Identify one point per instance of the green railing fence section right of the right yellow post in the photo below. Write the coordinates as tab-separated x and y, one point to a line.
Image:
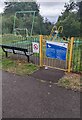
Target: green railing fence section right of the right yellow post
77	55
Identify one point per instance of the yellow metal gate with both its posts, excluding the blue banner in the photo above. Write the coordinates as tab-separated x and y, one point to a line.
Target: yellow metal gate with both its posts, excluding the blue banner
56	63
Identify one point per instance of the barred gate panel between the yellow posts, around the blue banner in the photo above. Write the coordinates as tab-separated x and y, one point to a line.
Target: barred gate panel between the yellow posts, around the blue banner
51	62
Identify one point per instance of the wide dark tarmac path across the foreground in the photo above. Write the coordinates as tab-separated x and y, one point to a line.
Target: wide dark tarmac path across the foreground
26	97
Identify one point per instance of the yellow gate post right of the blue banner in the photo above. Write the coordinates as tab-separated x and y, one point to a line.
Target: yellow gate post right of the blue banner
70	56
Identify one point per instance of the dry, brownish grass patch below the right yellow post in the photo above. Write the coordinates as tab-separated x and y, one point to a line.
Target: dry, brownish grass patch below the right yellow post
71	81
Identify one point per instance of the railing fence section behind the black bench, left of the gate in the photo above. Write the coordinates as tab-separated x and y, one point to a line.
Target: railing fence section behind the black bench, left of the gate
25	43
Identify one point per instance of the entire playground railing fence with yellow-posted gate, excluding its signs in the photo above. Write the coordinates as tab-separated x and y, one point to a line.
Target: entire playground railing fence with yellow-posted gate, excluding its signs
73	60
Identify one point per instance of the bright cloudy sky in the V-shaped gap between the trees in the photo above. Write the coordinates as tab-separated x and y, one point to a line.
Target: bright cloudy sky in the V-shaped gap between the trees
51	10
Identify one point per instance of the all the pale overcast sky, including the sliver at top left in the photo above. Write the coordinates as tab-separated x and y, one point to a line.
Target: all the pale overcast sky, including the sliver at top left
50	9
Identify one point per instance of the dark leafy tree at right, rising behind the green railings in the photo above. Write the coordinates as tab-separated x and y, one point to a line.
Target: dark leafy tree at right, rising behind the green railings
70	20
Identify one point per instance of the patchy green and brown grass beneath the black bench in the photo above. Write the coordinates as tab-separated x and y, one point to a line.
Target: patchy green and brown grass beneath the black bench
20	67
